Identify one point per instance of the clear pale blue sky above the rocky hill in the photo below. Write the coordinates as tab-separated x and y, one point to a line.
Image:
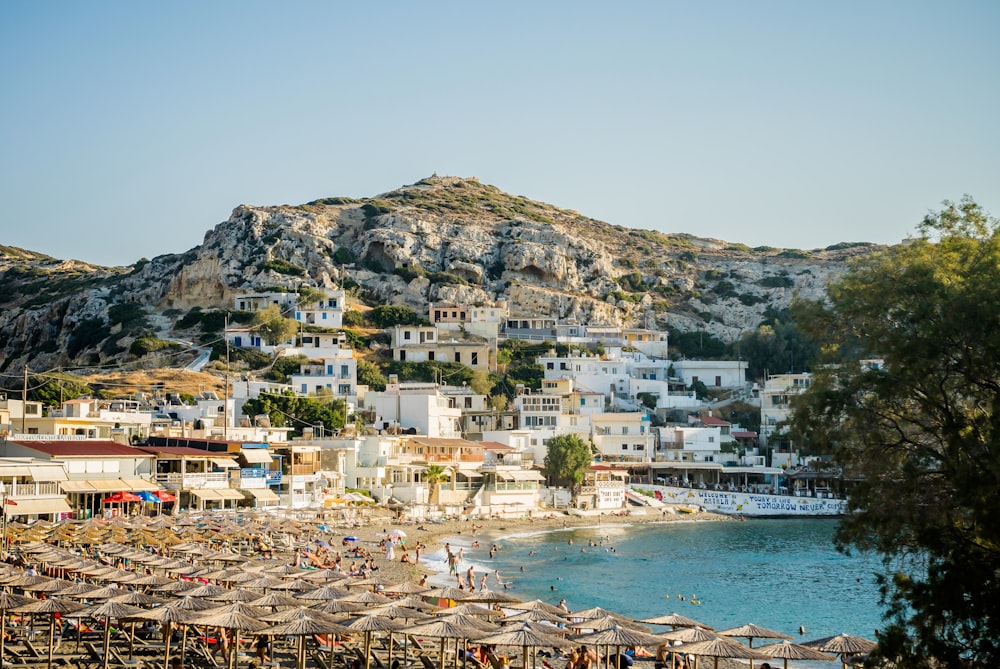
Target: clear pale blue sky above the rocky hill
129	129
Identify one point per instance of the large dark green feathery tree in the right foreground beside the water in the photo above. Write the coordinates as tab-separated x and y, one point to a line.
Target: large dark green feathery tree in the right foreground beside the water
922	429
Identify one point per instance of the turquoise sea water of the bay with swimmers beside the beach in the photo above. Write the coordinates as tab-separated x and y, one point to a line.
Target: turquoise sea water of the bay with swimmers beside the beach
780	573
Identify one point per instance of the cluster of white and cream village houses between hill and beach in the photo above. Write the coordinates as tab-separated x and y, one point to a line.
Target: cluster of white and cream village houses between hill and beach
209	454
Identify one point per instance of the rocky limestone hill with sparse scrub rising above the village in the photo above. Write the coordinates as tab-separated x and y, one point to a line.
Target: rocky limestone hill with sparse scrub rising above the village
440	239
